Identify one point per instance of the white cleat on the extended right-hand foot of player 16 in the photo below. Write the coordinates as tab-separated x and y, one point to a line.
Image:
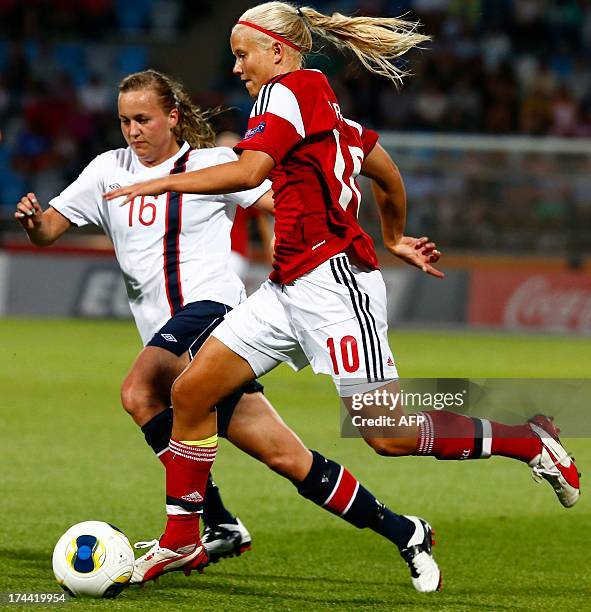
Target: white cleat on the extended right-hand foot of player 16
425	574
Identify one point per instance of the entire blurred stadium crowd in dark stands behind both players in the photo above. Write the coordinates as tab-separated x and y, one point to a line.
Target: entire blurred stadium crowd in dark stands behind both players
493	67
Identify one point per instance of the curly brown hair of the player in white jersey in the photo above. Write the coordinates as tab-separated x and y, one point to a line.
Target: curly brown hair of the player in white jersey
193	125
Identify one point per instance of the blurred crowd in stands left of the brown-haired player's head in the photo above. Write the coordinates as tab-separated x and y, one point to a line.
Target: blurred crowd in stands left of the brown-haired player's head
59	62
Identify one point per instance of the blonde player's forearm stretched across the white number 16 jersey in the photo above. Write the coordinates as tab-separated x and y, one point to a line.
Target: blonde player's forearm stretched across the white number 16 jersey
248	172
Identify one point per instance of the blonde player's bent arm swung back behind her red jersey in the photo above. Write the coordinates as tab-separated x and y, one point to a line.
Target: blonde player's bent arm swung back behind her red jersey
390	196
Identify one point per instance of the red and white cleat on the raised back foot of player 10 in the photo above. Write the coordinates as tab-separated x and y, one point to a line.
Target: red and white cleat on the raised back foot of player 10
553	463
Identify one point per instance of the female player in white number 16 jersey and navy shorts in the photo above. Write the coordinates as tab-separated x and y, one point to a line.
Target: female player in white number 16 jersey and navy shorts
173	251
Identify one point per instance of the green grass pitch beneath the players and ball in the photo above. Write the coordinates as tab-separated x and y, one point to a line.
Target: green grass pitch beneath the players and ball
69	453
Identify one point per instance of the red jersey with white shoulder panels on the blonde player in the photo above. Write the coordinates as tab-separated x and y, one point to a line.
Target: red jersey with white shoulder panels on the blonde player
297	121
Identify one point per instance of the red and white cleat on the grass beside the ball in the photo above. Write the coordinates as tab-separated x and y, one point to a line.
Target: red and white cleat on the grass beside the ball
159	560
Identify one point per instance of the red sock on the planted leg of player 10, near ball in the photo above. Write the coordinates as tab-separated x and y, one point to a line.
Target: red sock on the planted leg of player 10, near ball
187	470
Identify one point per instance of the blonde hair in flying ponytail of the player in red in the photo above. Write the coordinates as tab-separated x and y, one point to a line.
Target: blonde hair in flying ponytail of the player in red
376	41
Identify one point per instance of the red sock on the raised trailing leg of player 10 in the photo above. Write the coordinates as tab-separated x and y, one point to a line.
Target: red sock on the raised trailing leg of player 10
447	435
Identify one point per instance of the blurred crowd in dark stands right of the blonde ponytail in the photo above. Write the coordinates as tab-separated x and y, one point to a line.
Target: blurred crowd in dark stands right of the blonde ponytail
495	66
